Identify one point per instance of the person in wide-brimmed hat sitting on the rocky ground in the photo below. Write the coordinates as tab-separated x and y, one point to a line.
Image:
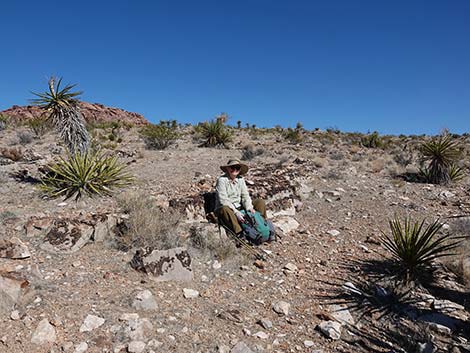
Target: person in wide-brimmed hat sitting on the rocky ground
233	196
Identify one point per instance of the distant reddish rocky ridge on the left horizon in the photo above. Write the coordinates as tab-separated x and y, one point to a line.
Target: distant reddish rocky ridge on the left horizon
92	112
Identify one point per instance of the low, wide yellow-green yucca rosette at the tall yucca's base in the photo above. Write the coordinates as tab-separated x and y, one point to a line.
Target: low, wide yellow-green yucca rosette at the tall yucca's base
84	173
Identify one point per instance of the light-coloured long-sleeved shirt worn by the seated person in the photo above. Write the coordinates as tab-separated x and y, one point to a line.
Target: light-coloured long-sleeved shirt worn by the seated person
233	193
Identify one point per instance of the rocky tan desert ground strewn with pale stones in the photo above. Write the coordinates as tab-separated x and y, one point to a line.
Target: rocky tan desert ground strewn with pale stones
67	286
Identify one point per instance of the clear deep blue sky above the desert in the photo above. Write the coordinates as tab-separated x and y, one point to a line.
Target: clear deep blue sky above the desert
396	66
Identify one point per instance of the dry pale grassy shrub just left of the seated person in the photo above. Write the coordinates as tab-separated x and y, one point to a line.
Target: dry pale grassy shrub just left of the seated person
146	224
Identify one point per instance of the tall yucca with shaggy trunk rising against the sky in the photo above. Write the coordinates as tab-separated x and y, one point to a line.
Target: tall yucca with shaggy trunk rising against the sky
62	109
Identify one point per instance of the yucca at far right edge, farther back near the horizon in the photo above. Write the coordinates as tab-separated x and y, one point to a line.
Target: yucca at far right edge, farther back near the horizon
442	155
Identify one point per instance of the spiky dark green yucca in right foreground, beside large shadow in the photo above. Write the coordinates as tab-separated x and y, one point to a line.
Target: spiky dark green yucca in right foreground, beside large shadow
414	246
